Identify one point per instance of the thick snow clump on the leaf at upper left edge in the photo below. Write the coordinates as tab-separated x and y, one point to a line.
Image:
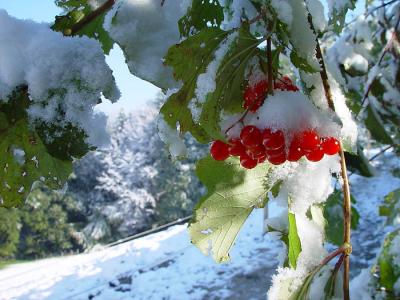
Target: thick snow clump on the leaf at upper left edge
65	76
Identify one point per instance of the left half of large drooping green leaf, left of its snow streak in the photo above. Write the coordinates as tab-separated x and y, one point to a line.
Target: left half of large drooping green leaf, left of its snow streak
189	59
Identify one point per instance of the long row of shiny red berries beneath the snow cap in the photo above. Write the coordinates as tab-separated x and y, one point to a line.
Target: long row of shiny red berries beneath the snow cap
255	146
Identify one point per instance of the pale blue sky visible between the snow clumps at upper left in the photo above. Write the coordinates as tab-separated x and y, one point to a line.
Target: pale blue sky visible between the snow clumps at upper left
134	91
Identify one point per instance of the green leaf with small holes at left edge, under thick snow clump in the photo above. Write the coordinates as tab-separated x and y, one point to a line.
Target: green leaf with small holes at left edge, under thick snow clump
24	158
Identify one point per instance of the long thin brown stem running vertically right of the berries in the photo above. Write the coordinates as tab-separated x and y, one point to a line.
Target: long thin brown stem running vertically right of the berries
346	186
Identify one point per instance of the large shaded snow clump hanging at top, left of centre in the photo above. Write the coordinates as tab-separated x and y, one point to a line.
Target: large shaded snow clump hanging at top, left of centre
145	30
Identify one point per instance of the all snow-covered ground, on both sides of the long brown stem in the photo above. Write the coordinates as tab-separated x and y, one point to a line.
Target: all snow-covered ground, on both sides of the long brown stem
166	266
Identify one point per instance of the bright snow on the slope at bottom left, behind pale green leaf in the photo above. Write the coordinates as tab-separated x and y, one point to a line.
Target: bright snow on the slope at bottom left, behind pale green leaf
162	265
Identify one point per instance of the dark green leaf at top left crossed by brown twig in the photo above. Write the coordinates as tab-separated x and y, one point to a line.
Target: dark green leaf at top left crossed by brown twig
75	11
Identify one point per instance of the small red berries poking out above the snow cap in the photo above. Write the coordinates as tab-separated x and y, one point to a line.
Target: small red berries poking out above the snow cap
254	96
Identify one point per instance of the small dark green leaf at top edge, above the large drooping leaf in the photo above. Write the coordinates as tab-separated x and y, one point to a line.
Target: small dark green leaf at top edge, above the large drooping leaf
201	15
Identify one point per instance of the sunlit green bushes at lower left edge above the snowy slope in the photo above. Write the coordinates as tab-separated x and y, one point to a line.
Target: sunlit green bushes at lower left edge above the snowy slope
41	228
